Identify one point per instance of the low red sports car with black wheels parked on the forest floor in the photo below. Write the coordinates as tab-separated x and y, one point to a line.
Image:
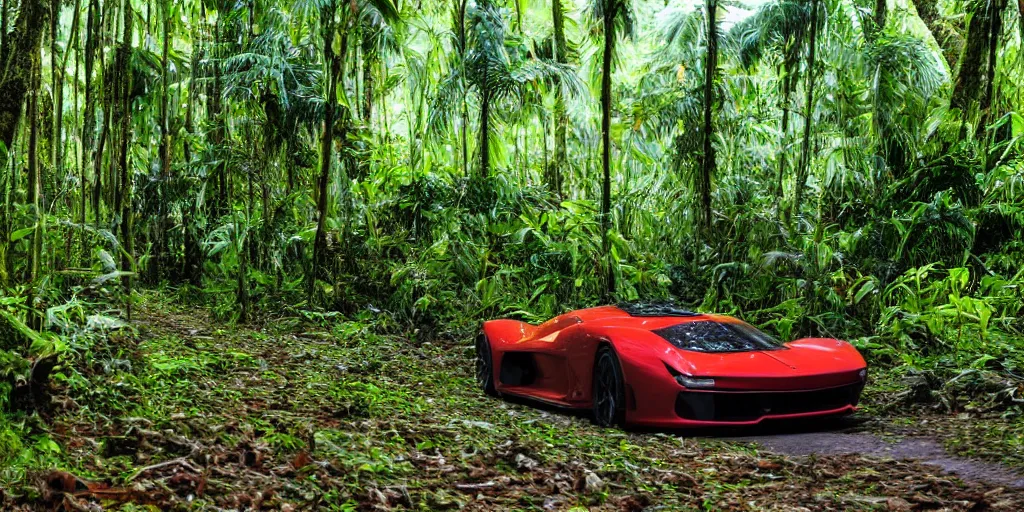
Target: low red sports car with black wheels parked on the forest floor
657	366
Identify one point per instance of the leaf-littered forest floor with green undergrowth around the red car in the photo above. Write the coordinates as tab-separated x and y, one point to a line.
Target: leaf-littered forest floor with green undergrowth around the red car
184	414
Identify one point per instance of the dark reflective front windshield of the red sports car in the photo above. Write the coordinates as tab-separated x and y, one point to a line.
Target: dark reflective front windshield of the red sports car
710	336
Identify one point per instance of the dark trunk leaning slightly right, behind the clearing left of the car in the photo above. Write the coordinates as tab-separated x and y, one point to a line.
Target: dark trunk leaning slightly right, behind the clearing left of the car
334	66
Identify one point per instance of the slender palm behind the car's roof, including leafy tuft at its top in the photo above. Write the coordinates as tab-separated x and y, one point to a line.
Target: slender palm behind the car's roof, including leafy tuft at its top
616	18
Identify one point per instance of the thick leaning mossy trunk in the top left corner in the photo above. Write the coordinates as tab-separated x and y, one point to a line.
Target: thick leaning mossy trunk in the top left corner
25	44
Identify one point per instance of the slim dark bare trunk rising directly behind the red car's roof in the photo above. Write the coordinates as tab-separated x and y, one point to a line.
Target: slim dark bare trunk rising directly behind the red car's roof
610	50
